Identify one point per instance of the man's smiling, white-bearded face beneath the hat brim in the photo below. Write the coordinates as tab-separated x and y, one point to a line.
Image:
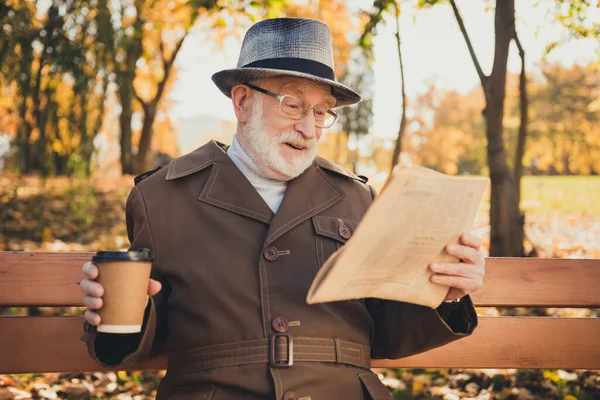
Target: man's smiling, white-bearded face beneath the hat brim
282	147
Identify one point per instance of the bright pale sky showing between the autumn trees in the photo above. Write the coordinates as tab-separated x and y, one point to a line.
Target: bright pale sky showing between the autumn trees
433	49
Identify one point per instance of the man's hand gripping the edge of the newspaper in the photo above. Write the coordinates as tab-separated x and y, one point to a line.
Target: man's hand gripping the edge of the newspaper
466	276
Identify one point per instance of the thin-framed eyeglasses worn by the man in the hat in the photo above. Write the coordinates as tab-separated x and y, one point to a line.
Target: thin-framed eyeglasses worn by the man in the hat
296	108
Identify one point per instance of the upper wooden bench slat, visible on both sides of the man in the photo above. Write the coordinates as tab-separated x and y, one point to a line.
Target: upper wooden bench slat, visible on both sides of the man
50	279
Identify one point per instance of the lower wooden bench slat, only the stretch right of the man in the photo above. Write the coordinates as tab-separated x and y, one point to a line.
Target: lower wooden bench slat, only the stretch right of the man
516	342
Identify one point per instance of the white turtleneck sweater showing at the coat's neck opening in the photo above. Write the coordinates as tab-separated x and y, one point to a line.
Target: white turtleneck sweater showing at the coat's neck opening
270	190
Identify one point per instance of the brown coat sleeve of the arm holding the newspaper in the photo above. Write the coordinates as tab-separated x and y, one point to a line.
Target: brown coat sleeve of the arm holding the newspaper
404	329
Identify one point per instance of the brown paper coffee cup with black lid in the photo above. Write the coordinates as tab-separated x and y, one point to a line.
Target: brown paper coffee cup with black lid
124	275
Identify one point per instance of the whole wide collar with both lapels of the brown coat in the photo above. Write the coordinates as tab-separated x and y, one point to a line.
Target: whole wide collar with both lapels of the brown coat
227	188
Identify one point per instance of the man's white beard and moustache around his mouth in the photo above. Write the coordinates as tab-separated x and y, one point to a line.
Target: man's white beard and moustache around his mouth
265	147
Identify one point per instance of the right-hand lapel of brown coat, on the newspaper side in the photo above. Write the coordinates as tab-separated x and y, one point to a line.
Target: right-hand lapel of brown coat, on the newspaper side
307	195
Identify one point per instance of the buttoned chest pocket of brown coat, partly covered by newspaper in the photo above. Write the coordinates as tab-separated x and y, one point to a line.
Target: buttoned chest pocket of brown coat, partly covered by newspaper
331	233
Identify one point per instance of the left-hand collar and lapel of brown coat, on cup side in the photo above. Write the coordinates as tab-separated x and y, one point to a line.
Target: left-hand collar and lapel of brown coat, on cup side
227	187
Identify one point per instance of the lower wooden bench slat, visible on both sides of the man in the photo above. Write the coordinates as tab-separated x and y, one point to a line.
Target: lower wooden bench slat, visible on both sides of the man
38	344
